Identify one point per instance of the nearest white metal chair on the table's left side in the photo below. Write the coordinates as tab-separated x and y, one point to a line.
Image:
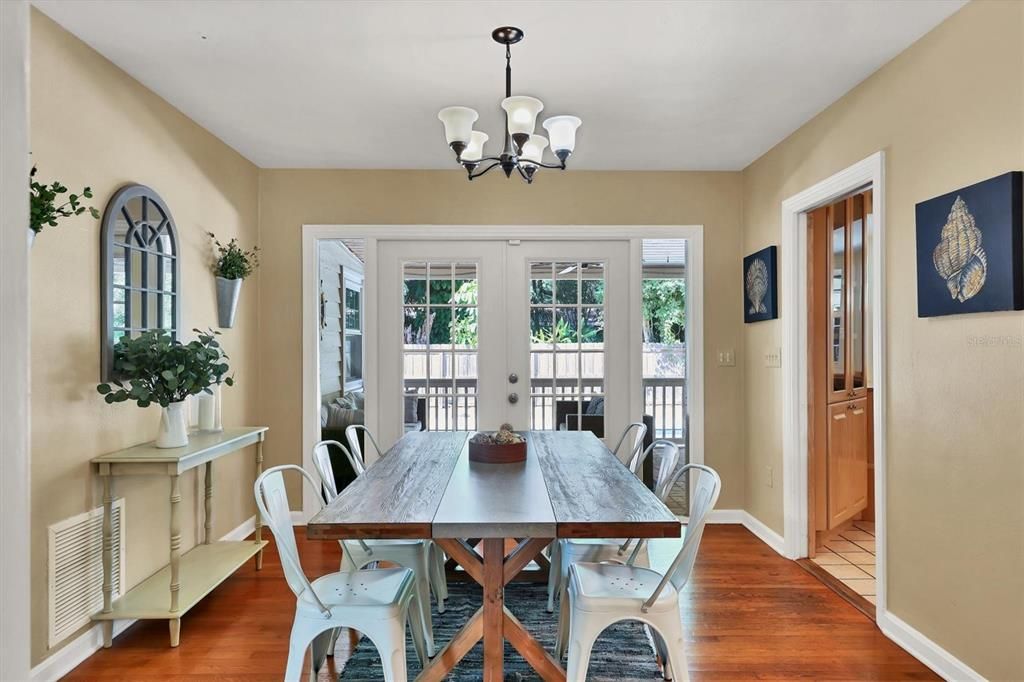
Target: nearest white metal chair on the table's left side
378	604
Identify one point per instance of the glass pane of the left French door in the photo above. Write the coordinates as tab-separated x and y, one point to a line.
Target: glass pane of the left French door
441	344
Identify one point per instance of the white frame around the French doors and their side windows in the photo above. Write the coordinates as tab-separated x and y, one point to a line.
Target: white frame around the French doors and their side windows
313	234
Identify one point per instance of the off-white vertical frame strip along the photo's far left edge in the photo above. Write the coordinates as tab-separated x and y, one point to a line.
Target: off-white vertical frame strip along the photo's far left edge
15	360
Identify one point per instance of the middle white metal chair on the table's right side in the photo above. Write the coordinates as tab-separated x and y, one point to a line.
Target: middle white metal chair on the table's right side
567	552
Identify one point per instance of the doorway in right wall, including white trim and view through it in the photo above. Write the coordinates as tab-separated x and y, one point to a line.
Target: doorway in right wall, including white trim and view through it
864	413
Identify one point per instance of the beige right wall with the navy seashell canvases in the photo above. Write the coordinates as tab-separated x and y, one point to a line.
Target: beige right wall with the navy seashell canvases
949	112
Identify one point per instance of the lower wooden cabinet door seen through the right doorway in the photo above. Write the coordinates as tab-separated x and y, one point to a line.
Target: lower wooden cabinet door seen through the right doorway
847	462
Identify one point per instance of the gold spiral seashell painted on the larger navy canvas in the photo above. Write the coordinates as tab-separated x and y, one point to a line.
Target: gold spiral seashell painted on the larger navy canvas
959	258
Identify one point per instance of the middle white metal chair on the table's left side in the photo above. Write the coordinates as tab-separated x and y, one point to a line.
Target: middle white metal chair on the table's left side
421	557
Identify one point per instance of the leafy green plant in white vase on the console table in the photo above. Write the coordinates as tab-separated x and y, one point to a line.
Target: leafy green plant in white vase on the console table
155	369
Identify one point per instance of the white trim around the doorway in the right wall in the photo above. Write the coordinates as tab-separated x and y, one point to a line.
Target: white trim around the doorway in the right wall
795	352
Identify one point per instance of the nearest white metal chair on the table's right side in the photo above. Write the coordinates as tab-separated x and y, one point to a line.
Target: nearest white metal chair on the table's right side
601	594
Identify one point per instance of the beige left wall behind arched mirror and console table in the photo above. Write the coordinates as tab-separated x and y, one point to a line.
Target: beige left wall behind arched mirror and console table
92	124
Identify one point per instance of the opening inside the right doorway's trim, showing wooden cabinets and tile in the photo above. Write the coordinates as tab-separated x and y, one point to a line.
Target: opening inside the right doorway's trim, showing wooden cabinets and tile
841	462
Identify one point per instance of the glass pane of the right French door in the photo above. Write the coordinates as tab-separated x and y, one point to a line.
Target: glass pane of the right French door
567	346
